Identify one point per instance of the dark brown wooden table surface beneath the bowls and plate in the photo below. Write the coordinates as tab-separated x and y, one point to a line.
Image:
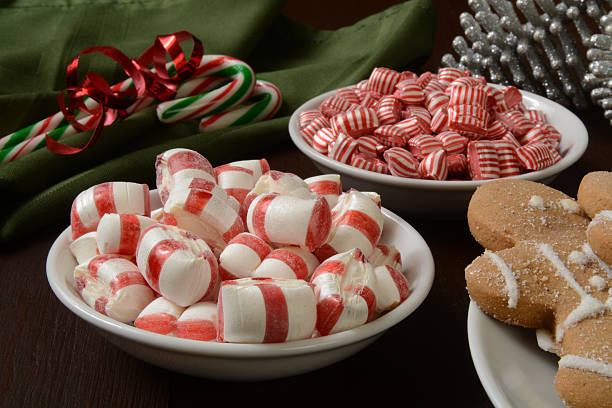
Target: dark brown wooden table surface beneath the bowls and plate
49	357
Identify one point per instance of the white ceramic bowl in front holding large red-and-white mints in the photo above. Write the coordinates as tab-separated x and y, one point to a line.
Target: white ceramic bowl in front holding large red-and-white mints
248	362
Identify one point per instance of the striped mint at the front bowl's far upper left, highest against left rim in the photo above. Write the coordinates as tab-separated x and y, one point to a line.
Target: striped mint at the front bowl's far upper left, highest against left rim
118	197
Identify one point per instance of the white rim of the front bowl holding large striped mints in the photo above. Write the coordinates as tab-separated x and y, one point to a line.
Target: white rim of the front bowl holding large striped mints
252	351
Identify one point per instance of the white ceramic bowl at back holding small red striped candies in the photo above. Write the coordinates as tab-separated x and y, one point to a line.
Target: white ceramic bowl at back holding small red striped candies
443	197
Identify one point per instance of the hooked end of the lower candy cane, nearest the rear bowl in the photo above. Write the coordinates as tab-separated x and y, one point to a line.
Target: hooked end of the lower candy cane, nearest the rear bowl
262	105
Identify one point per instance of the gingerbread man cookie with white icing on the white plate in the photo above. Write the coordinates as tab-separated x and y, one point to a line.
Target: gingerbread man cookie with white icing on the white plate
540	270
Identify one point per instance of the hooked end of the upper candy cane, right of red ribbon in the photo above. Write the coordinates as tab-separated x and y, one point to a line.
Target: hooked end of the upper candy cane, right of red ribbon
237	91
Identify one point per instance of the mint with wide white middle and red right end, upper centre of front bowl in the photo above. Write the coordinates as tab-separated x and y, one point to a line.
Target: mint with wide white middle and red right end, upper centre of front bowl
270	215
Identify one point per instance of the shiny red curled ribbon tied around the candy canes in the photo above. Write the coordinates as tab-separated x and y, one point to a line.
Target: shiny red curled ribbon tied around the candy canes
113	102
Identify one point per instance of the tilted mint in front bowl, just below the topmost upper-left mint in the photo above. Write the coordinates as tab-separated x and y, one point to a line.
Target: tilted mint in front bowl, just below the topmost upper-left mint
206	213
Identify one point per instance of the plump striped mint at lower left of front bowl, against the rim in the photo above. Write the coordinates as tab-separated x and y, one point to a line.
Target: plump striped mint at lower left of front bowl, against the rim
113	286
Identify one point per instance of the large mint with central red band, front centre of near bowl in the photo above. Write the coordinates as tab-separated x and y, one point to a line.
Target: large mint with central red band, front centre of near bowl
265	310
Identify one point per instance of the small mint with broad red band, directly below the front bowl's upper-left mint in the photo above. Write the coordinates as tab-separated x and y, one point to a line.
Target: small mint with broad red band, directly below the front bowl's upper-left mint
119	233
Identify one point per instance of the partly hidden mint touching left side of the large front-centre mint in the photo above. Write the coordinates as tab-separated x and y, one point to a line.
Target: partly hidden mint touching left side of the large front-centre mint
198	322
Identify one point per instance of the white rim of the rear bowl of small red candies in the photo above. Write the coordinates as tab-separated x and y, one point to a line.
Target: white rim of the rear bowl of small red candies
572	155
